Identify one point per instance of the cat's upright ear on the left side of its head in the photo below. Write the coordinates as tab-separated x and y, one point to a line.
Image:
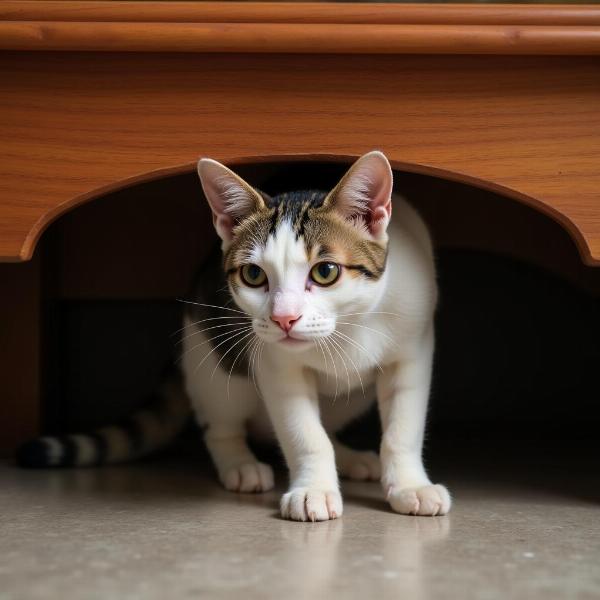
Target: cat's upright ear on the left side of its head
231	199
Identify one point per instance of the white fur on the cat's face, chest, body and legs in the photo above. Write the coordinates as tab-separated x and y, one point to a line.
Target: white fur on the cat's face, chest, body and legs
356	340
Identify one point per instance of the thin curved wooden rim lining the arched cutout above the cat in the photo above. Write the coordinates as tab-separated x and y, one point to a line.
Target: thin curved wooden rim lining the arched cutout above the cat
571	228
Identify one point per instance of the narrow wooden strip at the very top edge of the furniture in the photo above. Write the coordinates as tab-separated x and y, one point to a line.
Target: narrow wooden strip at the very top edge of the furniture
298	12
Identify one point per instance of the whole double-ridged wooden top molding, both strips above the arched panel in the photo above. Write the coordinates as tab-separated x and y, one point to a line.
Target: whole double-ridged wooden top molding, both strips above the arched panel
299	27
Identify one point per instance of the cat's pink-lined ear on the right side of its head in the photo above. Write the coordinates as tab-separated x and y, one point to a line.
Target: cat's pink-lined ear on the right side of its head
365	193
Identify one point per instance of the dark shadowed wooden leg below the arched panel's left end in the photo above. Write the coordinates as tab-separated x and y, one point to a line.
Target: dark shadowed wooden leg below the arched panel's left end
20	362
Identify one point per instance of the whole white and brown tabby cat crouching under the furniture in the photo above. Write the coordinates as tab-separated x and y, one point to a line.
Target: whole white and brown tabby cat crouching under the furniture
316	305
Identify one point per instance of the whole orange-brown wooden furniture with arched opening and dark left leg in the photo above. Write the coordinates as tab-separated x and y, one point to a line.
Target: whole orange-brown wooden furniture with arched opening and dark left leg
96	96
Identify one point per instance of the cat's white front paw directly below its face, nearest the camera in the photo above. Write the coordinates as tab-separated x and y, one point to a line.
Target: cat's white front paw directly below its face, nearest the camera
309	504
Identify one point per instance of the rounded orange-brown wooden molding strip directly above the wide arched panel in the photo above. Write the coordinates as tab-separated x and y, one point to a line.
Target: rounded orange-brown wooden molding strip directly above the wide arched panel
300	38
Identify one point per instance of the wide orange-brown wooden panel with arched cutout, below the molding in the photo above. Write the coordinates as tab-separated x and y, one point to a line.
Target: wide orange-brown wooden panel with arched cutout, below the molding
75	125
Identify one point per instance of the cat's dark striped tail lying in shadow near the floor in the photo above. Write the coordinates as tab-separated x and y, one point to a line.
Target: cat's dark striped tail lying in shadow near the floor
147	430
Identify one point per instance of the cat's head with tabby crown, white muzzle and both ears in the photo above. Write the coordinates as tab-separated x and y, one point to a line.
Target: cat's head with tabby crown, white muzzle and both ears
300	261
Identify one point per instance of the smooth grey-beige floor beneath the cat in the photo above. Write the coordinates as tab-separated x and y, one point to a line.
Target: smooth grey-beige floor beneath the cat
521	528
